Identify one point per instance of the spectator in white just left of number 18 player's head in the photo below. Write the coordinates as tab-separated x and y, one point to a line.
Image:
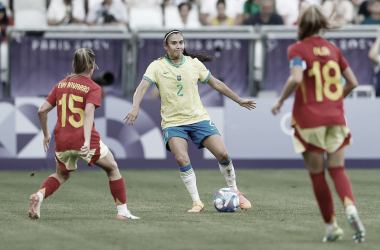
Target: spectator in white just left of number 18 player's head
288	10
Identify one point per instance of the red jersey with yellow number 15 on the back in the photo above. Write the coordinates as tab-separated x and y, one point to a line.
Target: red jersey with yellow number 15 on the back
71	96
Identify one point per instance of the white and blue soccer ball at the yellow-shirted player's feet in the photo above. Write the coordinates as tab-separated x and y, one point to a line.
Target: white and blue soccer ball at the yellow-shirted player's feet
226	200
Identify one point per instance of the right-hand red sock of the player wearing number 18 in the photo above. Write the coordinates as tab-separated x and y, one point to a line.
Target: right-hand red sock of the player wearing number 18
342	185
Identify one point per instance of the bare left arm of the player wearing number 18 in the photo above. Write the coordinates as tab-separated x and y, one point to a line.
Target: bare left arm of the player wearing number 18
294	80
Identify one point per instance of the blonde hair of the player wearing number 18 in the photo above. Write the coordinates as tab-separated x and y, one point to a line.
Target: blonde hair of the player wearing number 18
311	21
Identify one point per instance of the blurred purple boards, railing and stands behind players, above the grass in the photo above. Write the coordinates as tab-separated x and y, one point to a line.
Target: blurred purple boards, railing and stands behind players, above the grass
37	50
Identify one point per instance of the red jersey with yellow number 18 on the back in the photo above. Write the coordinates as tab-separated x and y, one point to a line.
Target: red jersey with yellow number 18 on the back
319	99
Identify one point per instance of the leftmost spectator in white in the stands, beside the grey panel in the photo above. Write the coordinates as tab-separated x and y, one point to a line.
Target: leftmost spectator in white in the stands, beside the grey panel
65	12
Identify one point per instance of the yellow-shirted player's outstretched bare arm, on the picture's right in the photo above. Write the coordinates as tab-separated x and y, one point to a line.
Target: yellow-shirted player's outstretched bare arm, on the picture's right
223	89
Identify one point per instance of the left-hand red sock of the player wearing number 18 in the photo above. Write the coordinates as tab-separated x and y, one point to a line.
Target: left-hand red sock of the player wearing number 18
323	195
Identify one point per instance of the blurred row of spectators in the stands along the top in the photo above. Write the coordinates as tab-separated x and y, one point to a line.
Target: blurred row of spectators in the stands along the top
193	13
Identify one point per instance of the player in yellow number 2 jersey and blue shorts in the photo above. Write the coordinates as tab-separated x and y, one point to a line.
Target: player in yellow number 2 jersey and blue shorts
176	76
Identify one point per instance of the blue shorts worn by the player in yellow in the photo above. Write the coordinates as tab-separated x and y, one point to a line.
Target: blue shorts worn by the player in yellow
196	131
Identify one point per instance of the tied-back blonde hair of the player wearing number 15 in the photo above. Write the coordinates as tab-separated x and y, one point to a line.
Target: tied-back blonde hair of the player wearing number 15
84	60
